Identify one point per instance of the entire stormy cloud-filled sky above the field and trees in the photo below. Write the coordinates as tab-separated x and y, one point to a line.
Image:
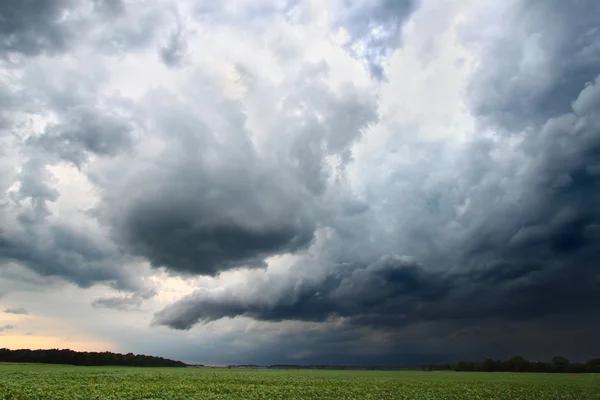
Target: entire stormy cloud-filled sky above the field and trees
366	182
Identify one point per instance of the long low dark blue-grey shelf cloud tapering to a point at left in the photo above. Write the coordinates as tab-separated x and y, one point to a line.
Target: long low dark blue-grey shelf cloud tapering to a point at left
395	292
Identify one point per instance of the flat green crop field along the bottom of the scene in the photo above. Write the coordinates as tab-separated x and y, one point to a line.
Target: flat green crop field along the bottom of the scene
32	382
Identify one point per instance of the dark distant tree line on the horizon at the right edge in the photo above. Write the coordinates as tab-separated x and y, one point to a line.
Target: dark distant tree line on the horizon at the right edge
519	364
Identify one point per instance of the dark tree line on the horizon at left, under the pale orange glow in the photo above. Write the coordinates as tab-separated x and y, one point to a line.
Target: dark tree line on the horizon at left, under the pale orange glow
66	356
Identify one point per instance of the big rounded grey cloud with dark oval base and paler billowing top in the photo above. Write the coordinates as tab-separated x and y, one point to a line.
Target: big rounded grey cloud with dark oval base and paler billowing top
209	202
